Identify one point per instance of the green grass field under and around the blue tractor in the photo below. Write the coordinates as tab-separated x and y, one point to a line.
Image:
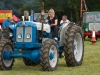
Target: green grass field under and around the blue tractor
90	66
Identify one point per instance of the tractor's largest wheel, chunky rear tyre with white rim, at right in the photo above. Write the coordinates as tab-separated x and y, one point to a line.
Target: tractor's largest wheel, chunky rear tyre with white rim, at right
73	46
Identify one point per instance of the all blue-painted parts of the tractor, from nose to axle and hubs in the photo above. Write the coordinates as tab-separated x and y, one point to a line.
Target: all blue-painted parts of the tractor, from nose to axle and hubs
32	54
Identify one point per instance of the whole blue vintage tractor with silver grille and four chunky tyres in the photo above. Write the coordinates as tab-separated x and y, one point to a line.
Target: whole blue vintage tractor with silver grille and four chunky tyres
34	48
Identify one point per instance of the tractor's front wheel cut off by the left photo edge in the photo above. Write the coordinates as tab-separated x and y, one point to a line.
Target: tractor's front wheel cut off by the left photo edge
6	48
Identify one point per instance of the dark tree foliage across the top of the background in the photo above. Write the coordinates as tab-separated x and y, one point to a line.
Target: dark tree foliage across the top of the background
61	7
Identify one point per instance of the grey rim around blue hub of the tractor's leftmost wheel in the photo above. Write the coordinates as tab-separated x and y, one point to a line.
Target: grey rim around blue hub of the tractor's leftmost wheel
6	62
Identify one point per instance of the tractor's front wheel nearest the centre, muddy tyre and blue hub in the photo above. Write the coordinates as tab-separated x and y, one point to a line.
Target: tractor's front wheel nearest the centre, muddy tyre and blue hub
49	55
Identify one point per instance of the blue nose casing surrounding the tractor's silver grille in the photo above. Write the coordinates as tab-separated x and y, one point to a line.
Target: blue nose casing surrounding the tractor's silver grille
26	44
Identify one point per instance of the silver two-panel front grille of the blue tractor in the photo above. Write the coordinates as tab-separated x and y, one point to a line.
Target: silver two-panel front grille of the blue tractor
24	30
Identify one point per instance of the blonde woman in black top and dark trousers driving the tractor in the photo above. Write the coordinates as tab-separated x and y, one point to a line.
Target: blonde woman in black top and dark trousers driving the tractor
52	19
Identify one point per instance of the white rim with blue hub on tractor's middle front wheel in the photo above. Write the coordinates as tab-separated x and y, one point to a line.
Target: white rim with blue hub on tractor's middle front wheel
53	52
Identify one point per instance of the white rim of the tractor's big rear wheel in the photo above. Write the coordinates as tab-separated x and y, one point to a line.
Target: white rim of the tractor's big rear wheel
78	47
